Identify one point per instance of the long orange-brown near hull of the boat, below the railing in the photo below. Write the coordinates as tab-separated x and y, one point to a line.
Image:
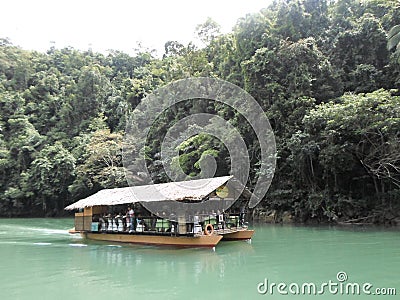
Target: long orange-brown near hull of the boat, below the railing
157	240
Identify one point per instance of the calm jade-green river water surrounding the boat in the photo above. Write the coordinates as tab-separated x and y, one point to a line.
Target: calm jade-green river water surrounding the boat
40	260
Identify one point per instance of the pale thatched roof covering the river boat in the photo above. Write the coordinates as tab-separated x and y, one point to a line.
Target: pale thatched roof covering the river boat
183	190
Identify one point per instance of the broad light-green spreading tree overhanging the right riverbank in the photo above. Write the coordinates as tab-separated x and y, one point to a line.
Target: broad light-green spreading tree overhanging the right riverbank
358	151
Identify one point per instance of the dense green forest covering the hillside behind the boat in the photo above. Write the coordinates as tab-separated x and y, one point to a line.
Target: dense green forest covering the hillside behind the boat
326	73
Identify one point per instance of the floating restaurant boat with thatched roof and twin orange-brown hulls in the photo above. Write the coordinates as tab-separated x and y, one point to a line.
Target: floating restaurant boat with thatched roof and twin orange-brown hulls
195	213
